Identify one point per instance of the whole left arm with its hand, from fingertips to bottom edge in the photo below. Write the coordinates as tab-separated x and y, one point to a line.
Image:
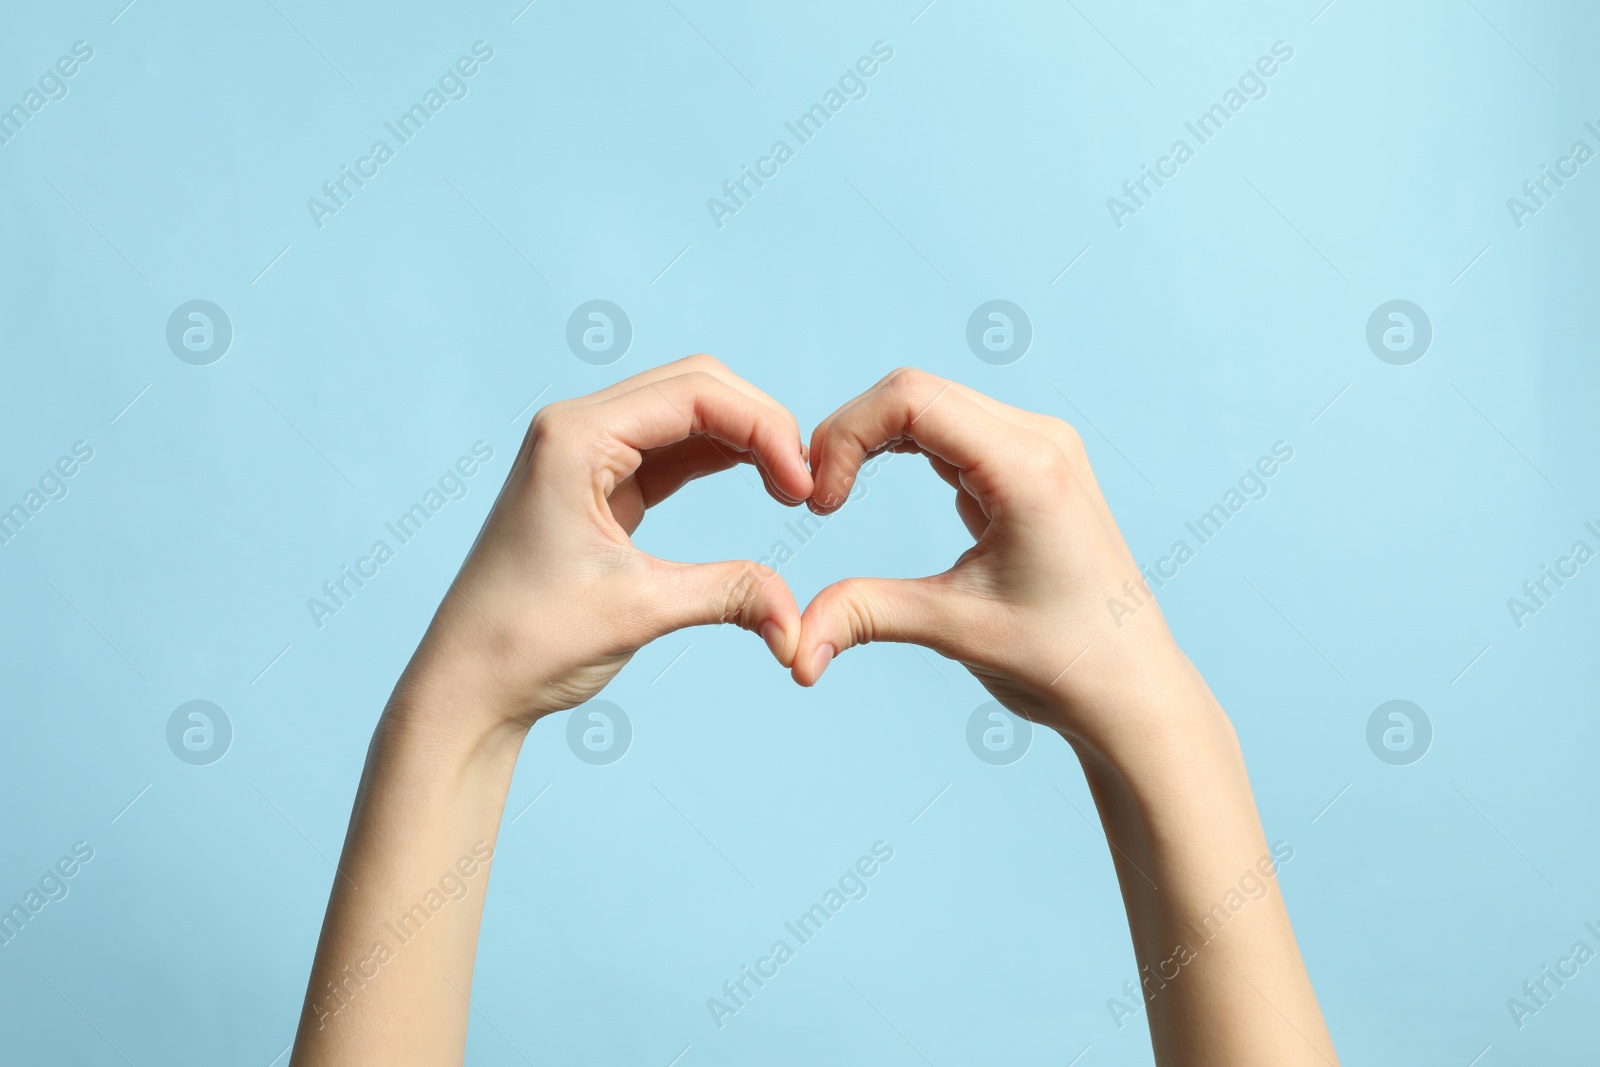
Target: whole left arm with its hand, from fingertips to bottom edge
551	604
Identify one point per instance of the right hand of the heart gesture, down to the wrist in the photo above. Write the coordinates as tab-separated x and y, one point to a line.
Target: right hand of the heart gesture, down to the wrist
1026	607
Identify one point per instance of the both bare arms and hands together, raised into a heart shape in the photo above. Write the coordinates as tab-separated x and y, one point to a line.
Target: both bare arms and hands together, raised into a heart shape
554	599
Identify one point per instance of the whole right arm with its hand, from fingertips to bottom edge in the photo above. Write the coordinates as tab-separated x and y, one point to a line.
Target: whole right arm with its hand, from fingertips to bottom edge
1026	612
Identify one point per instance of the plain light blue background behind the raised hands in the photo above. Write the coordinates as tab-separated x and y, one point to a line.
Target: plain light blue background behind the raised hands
375	351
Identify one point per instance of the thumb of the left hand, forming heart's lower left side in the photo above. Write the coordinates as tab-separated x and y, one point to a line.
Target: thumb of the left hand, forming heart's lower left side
743	593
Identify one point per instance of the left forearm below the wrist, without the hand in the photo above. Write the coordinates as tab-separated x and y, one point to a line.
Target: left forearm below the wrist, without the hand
394	964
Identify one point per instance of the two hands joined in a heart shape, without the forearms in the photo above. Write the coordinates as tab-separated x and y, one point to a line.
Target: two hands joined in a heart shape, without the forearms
1017	609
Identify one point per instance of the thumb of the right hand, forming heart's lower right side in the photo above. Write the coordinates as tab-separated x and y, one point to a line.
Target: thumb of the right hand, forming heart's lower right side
862	610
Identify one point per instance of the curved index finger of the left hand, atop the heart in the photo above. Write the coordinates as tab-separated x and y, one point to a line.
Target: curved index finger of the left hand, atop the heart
687	406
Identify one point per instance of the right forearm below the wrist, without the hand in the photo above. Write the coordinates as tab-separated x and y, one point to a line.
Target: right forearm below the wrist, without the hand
1220	972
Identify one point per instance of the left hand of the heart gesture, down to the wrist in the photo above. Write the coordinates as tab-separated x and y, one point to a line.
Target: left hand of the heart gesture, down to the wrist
554	597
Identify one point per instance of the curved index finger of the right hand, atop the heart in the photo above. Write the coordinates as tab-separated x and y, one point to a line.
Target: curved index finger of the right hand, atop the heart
929	412
